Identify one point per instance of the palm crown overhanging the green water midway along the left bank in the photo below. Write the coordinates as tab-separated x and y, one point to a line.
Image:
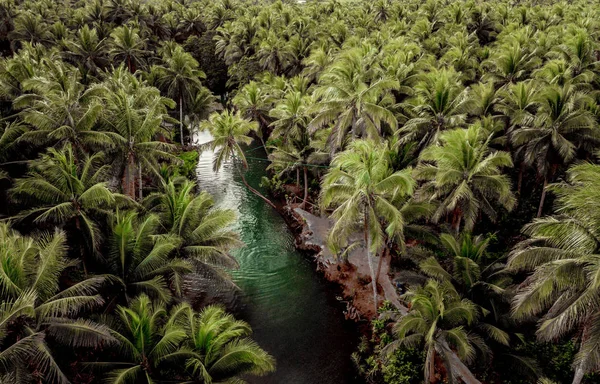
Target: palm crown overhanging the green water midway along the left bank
204	230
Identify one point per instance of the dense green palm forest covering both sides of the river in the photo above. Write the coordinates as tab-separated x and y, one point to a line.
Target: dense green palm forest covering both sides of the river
460	139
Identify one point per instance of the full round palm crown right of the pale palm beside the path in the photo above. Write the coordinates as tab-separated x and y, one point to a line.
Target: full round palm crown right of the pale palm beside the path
465	176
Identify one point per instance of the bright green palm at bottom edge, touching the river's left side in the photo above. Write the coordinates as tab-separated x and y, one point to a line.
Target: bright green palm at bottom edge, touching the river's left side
220	349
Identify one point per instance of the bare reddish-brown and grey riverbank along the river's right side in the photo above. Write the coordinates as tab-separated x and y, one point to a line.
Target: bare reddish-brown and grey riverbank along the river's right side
351	275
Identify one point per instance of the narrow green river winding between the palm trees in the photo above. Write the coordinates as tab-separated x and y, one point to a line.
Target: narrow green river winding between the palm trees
293	312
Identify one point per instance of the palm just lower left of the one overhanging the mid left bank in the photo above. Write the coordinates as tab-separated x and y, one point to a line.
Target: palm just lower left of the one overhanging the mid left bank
142	260
